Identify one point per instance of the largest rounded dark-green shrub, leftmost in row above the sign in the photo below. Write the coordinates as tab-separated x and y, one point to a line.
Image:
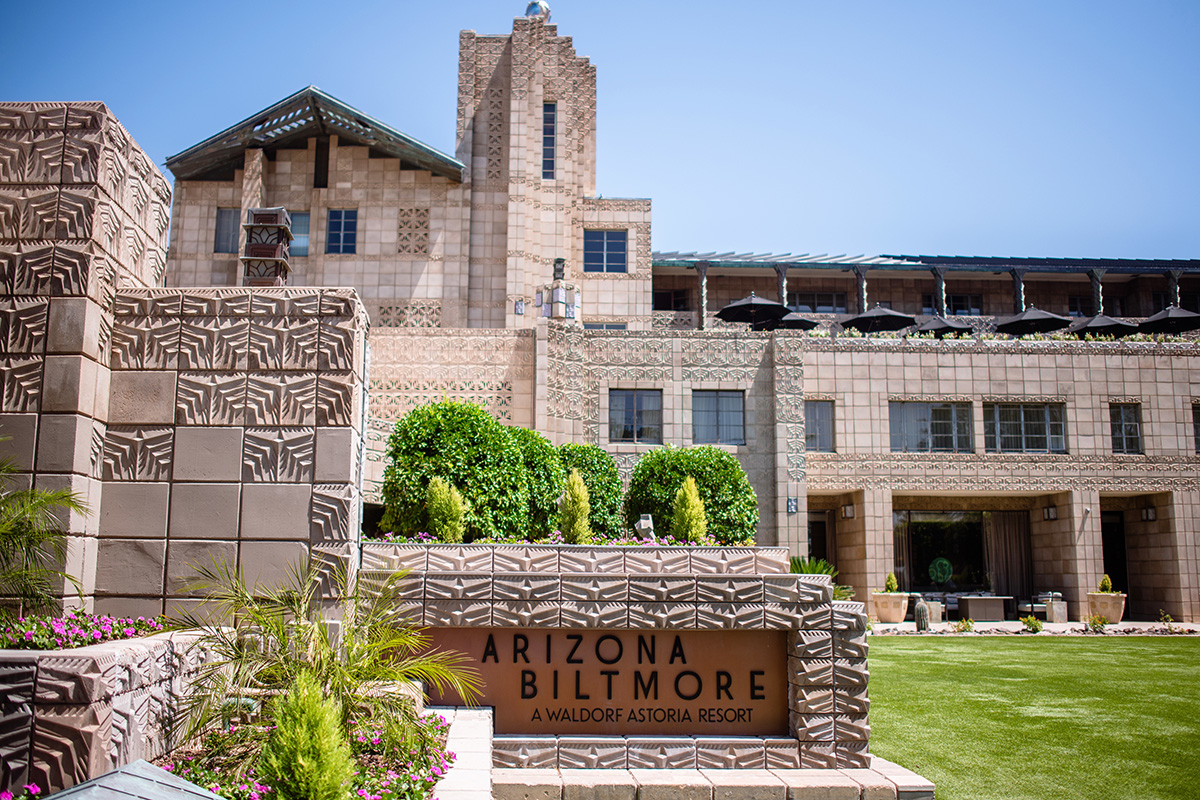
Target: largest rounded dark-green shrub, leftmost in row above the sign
470	449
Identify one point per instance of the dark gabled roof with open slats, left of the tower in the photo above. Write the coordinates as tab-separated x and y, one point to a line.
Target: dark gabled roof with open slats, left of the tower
310	112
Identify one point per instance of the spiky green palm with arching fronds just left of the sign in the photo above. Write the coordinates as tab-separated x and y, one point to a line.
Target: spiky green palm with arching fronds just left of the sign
349	634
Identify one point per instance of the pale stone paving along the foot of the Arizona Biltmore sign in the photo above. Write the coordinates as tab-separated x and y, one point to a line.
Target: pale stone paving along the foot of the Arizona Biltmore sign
472	778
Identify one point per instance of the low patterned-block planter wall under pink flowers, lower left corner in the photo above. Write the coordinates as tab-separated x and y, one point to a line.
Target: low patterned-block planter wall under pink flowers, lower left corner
68	717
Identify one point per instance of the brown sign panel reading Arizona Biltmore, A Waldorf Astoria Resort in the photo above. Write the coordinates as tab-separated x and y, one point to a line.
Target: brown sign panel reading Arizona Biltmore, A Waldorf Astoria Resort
628	683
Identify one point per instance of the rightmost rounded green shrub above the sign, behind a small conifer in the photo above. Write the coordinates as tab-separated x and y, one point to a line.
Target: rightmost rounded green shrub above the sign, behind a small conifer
731	504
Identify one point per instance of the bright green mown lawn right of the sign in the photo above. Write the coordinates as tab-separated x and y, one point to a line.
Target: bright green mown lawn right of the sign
1039	718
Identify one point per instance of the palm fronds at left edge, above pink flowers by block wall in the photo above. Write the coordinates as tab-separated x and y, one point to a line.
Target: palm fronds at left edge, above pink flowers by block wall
33	543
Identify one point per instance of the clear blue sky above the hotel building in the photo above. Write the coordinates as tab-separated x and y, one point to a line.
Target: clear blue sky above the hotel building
1023	128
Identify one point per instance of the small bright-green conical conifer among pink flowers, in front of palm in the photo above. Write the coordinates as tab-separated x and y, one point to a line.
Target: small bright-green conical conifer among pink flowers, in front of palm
307	756
